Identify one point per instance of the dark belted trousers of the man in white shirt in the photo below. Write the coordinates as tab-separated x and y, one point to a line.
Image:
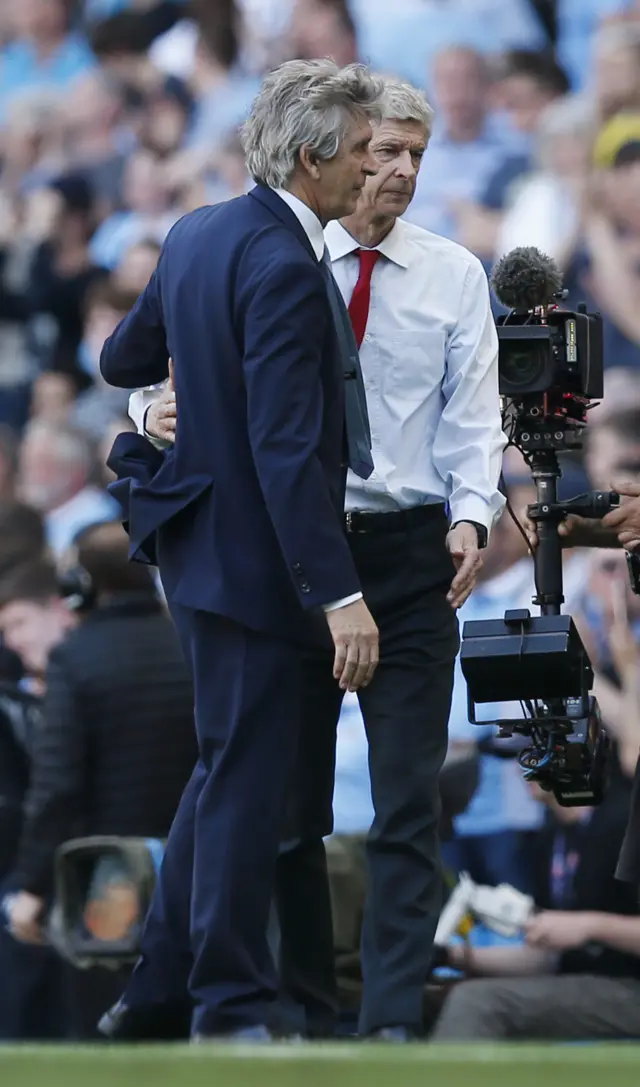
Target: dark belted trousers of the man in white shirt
405	578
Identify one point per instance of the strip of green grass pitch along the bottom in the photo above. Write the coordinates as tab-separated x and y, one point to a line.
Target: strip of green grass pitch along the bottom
330	1066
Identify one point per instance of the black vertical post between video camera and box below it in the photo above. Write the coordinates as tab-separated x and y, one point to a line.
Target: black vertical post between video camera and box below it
548	557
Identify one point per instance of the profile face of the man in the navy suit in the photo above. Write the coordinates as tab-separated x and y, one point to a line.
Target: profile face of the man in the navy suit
341	181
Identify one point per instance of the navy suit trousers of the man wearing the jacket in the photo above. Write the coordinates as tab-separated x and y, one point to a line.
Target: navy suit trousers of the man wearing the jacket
209	918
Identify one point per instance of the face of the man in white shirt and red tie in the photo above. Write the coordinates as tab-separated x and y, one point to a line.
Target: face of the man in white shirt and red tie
403	144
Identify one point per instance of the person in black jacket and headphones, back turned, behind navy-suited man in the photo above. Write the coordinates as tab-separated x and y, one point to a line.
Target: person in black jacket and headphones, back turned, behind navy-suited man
117	744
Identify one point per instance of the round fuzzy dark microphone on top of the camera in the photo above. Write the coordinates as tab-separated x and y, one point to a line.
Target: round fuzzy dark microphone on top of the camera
526	279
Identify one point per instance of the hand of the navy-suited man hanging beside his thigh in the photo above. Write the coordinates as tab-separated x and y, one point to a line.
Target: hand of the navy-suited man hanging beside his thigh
357	642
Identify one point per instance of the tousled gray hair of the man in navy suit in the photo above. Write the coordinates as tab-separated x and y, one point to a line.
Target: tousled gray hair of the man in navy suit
306	103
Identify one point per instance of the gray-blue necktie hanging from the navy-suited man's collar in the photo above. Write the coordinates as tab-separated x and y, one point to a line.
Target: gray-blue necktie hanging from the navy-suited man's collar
359	436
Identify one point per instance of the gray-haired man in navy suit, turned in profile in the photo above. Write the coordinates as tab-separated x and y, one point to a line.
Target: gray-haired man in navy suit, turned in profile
244	516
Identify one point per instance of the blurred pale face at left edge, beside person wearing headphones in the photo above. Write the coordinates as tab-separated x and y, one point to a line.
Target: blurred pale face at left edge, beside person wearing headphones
32	630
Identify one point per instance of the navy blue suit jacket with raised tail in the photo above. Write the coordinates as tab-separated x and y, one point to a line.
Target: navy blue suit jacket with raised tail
245	514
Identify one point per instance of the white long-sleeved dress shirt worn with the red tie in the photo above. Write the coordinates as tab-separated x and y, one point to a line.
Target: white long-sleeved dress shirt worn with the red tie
430	361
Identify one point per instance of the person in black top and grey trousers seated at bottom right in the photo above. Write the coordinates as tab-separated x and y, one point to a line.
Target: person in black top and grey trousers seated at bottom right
578	976
